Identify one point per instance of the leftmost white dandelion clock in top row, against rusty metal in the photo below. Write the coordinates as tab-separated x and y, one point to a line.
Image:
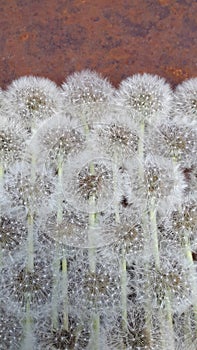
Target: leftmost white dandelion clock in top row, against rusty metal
32	100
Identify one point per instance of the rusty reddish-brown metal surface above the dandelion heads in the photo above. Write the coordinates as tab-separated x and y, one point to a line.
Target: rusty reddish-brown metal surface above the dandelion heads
53	38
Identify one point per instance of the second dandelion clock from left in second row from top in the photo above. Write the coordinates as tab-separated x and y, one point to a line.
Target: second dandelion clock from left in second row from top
55	140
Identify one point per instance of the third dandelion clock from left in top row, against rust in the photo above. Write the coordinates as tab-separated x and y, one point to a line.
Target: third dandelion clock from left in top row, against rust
145	97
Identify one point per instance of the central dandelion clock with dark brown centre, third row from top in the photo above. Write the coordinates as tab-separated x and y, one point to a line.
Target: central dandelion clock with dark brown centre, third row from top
90	176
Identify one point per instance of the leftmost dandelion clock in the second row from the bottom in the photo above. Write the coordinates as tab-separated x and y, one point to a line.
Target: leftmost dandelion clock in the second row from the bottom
19	284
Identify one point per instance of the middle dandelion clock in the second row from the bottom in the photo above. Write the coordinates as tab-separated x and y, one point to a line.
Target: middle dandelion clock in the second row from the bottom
94	291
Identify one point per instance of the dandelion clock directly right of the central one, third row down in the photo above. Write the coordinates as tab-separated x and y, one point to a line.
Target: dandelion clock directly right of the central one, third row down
163	182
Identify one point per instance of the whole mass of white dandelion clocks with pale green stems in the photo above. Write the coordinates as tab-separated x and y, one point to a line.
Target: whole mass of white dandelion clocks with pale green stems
98	214
